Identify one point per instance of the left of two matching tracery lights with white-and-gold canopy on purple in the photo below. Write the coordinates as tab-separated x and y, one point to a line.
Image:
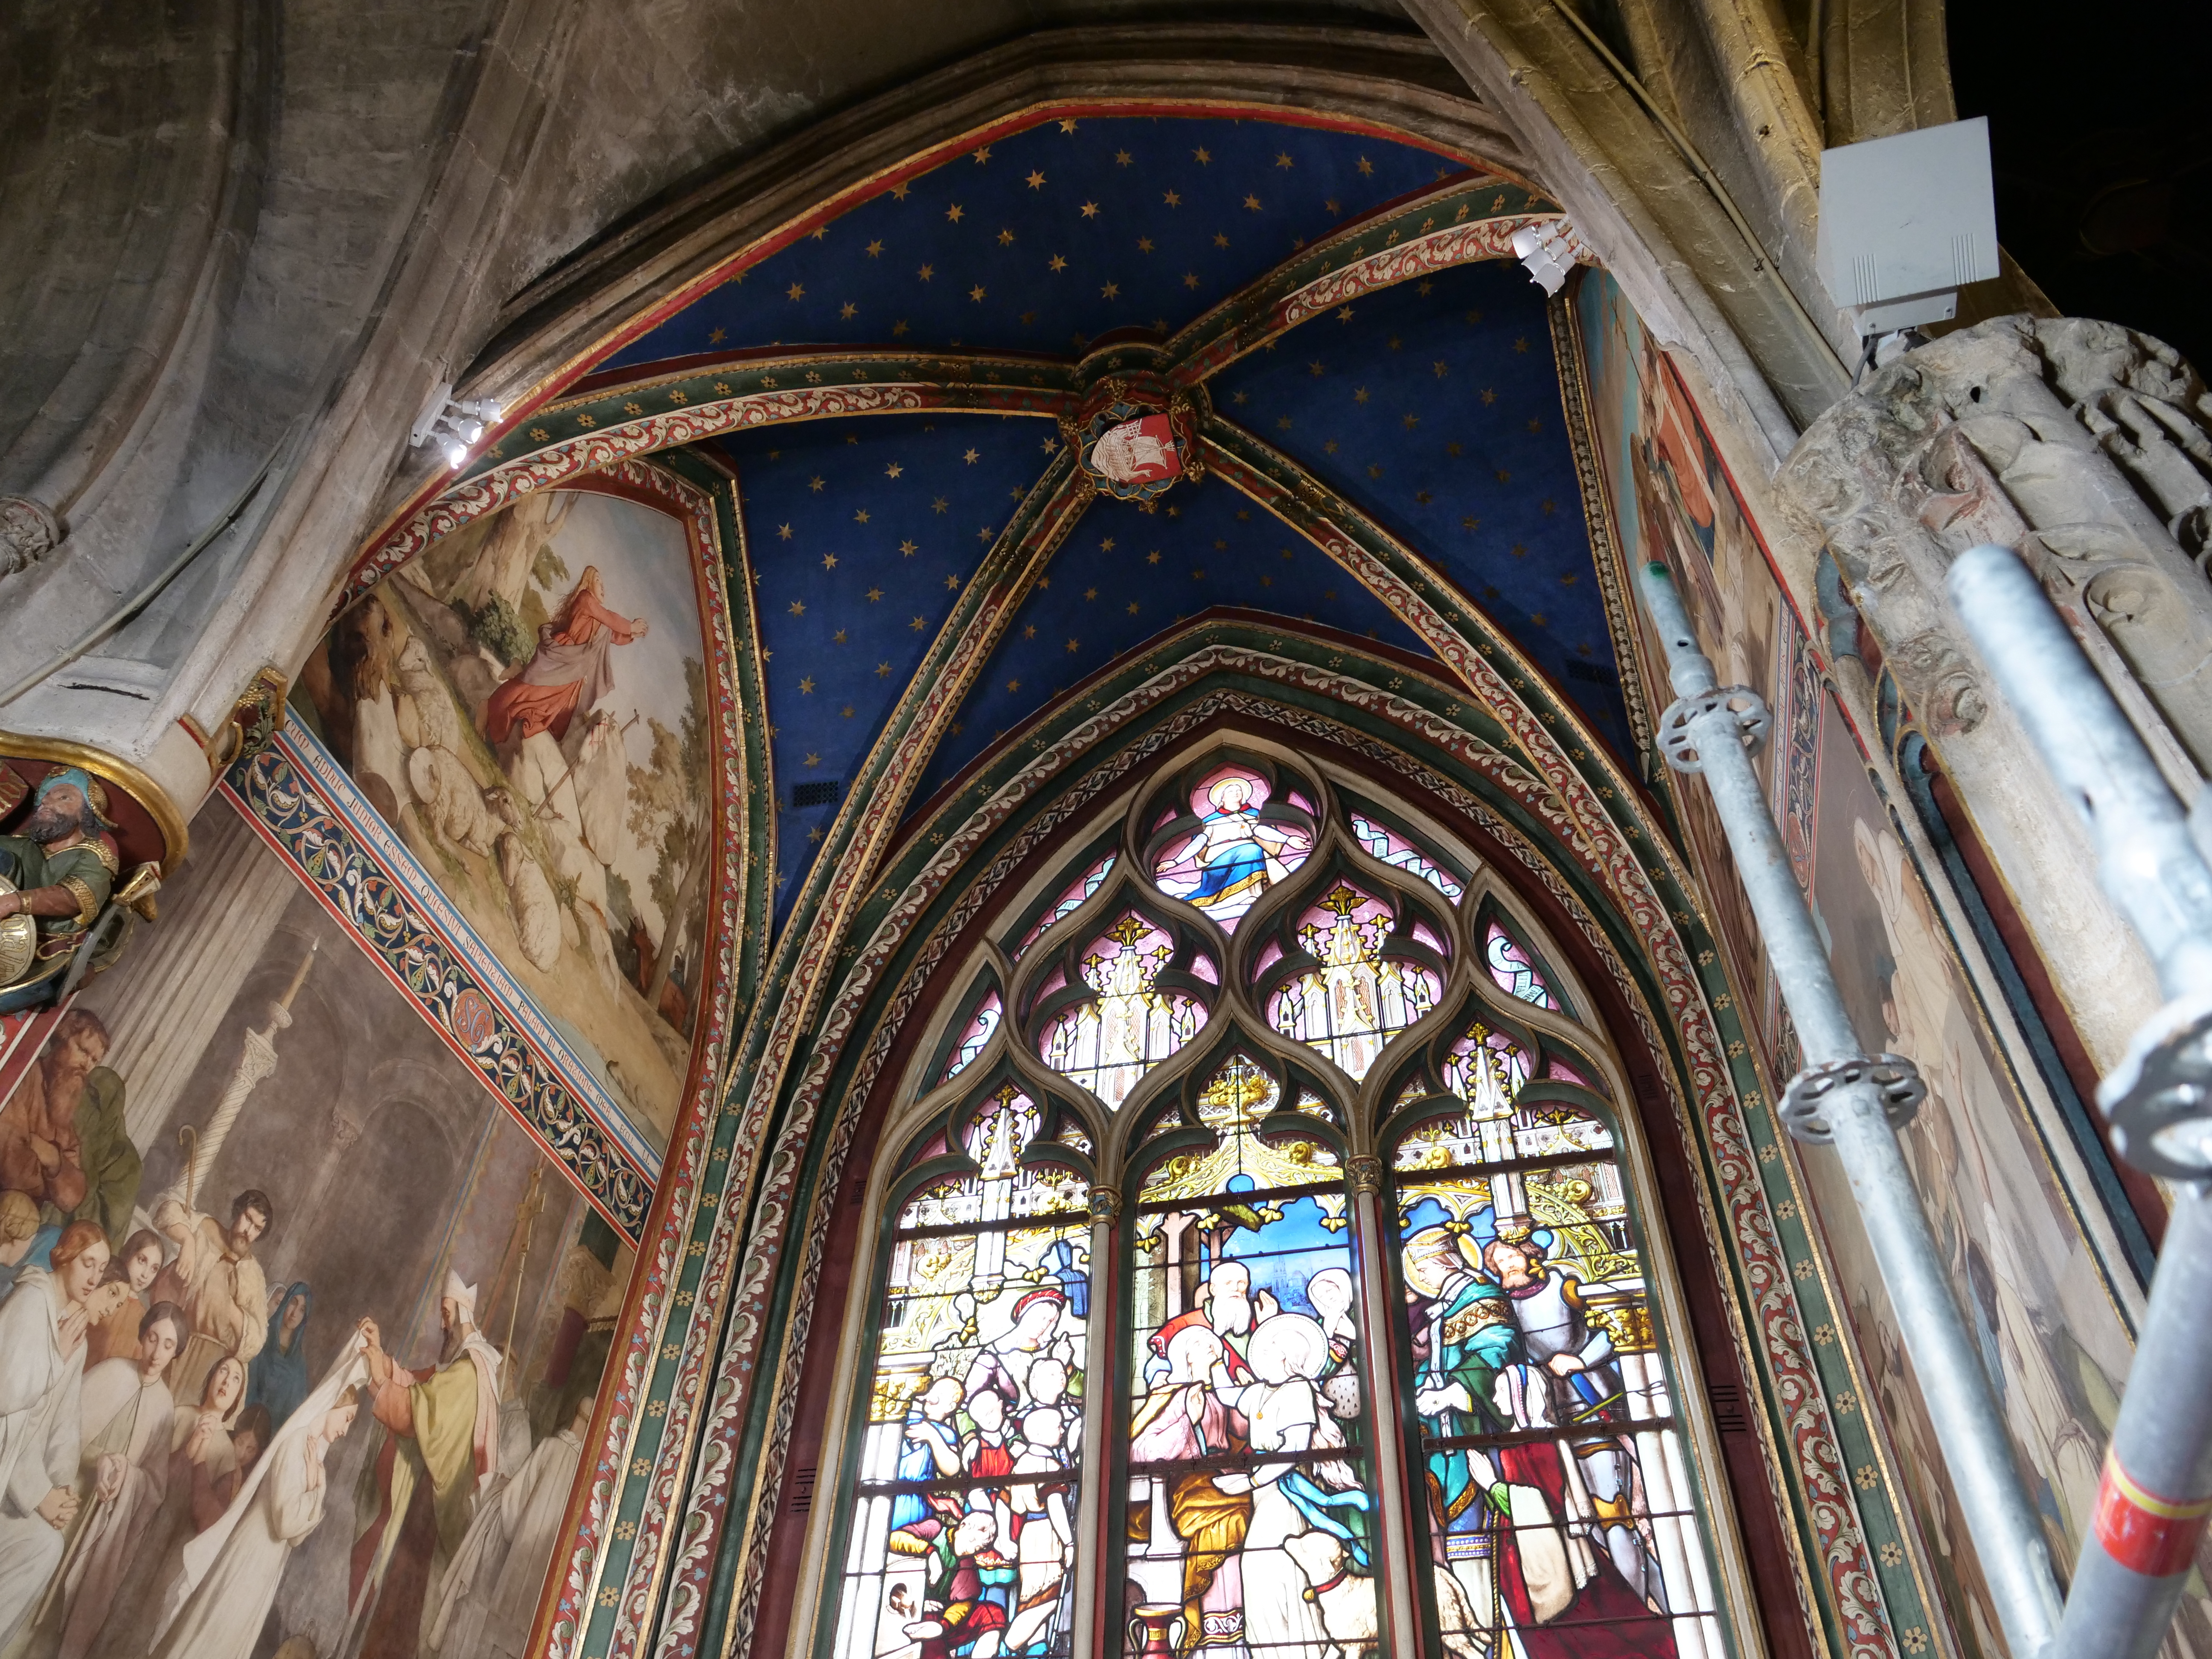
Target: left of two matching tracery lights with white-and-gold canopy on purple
1127	1023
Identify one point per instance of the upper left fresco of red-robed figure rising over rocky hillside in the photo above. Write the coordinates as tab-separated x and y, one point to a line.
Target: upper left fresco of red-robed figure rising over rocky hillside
528	707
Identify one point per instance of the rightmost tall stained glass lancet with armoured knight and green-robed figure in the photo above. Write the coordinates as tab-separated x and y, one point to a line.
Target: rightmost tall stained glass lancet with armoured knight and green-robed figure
1558	1496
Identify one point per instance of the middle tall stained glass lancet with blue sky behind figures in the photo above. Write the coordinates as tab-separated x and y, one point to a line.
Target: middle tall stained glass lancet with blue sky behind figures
1249	1501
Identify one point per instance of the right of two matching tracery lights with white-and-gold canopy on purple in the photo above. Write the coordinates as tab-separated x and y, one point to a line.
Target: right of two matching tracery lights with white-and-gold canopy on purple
1357	997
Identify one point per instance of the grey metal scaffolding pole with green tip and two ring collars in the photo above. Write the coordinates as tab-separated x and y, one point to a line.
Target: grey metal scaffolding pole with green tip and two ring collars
1857	1103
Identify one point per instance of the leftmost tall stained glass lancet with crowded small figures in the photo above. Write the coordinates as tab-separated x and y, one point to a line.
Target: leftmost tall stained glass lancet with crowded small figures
963	1536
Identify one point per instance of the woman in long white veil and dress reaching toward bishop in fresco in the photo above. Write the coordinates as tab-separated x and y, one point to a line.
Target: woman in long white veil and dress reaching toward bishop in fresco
222	1596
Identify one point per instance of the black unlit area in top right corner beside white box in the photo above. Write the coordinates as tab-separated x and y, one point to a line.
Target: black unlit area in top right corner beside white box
2103	143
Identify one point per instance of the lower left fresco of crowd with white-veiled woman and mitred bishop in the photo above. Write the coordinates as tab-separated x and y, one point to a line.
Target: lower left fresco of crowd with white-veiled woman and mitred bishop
300	1328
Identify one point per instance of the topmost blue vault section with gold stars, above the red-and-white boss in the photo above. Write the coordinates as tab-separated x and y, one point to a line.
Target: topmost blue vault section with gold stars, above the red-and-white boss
1054	238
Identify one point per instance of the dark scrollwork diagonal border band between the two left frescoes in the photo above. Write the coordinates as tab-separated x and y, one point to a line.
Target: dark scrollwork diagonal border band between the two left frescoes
284	793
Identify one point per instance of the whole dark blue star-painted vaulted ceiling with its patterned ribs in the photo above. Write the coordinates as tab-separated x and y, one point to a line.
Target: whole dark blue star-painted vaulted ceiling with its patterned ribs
1335	302
